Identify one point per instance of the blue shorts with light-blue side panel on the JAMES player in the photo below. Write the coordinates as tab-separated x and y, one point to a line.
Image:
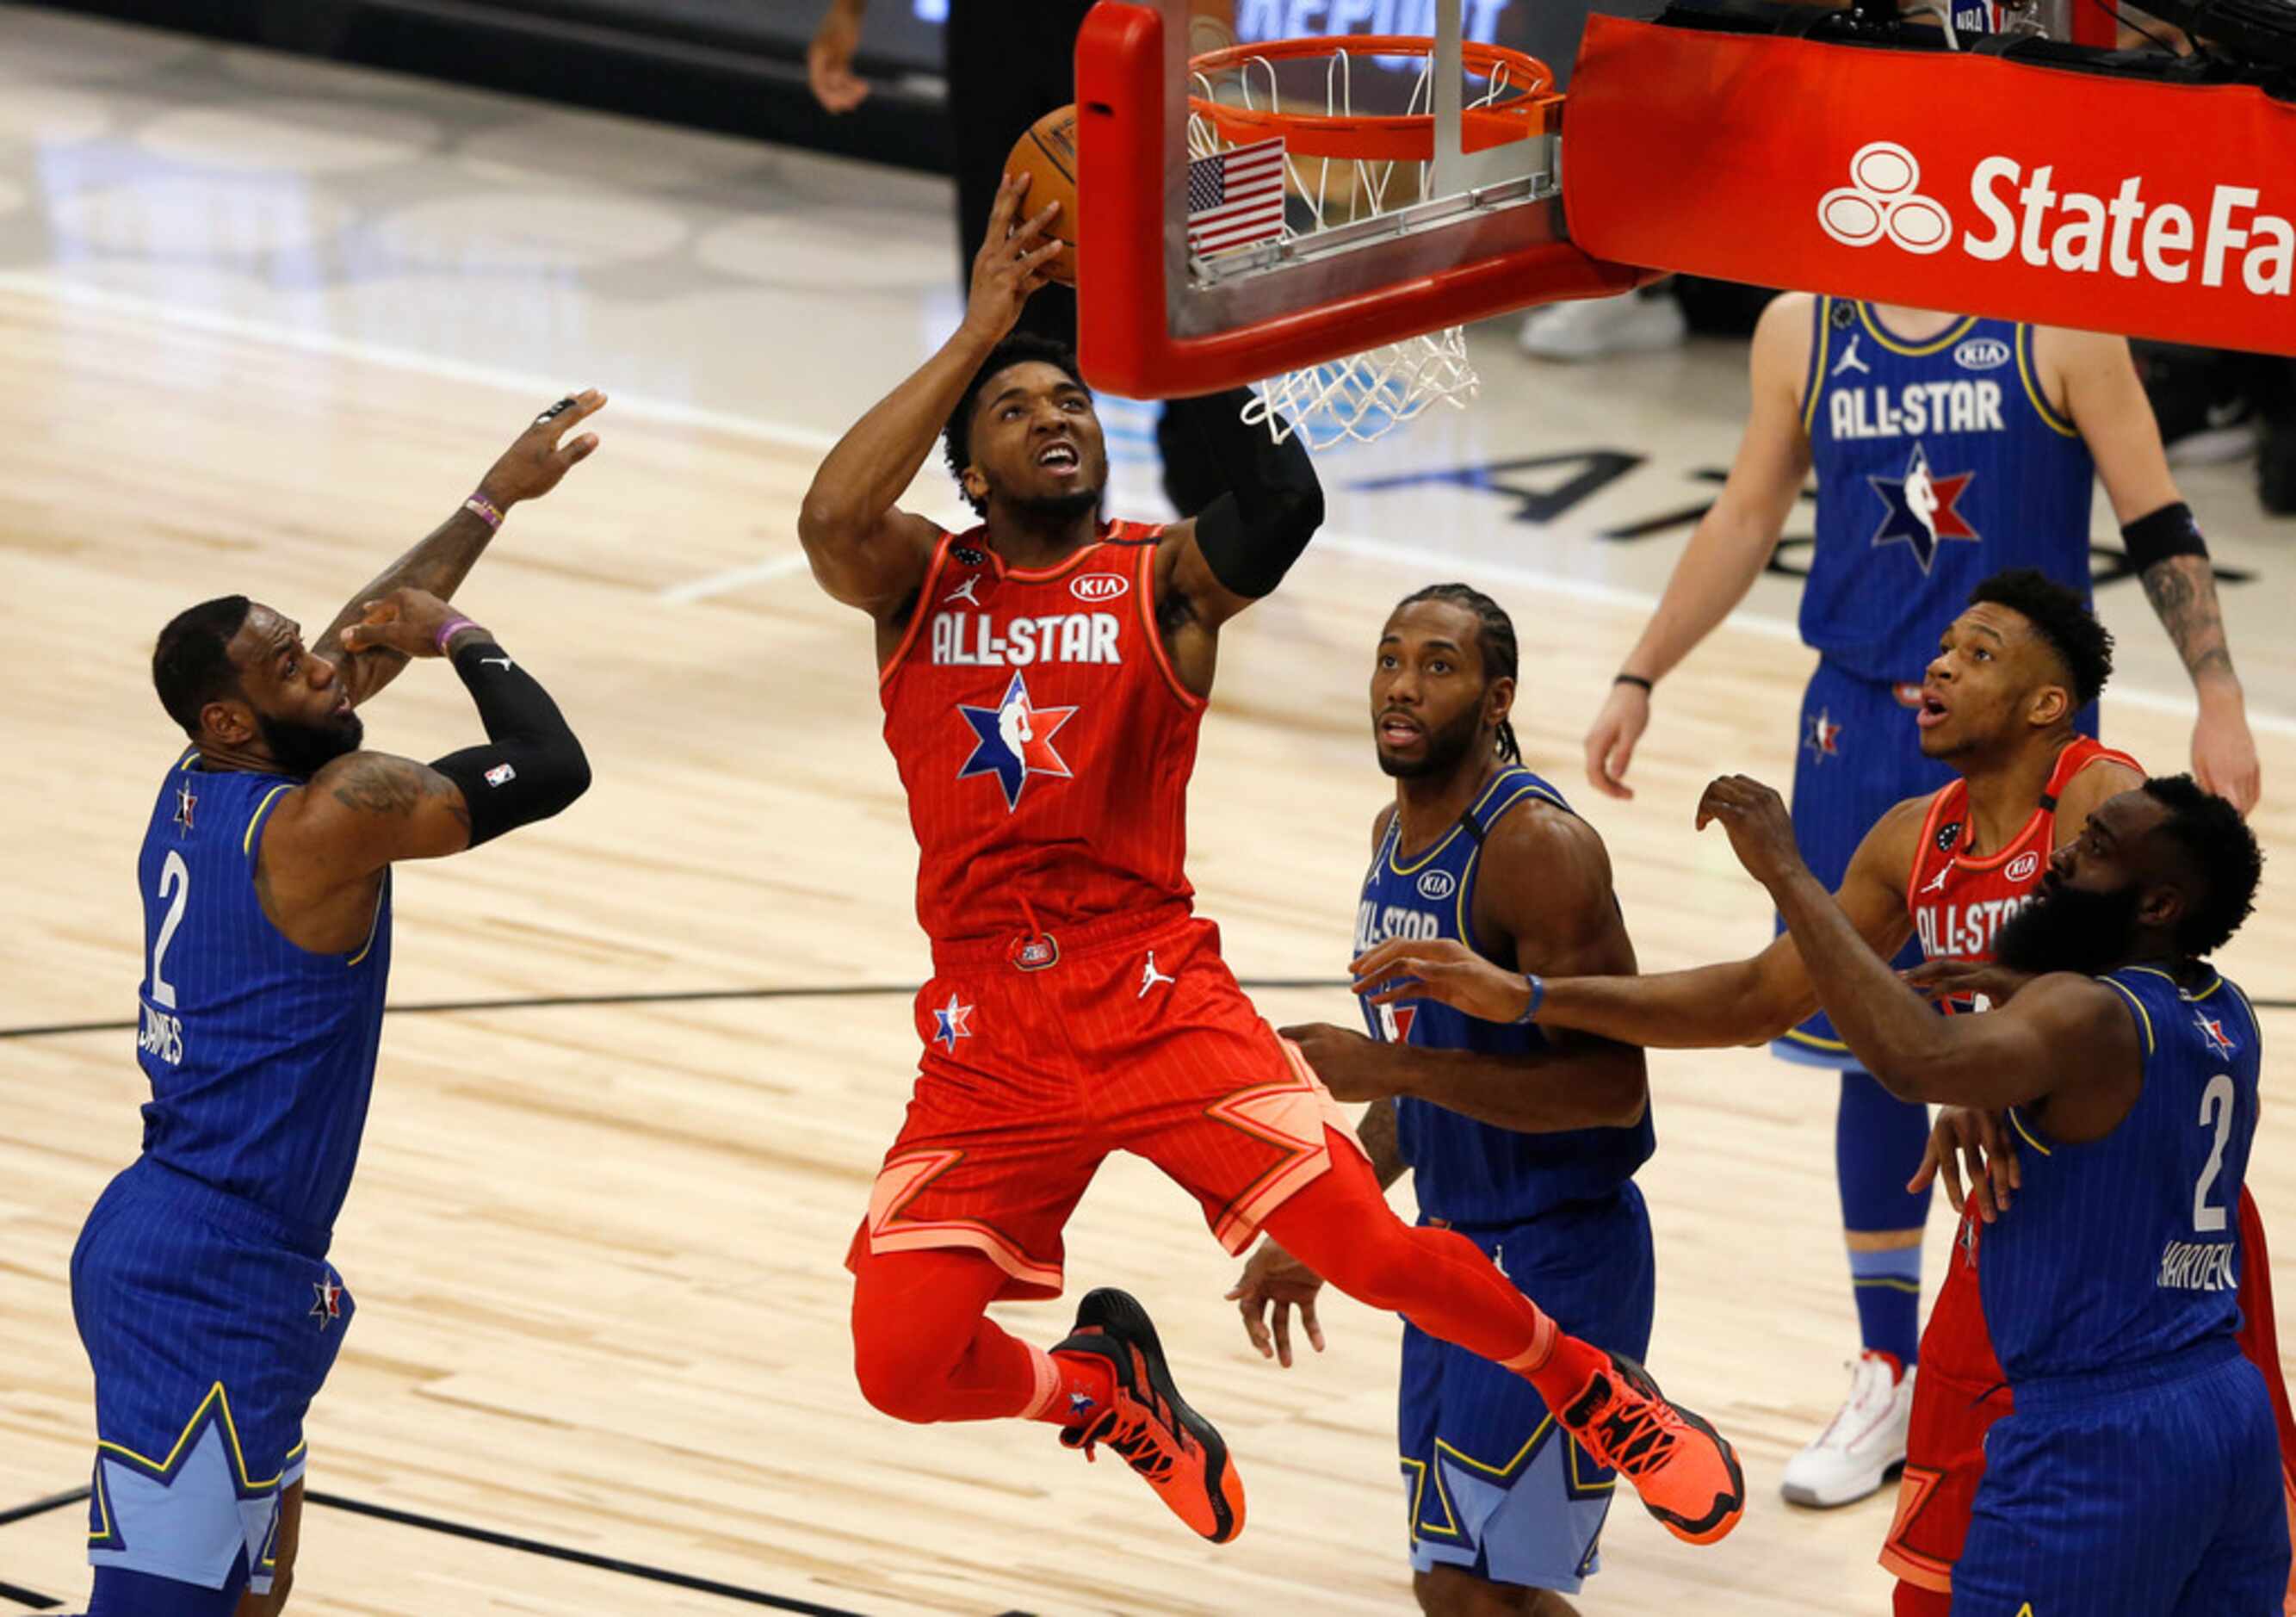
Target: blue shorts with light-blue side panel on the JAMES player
210	1326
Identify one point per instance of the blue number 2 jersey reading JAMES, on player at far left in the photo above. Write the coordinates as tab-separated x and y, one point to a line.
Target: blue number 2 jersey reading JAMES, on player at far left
261	1053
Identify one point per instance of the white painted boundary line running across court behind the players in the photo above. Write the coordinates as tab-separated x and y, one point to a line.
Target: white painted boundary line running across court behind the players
786	435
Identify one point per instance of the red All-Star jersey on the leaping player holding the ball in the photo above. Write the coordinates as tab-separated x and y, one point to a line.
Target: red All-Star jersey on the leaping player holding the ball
1044	738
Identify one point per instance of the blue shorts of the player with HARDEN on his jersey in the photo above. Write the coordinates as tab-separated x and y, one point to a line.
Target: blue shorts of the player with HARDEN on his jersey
2132	1494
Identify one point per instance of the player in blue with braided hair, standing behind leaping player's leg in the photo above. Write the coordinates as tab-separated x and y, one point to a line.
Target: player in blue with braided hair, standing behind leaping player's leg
1521	1140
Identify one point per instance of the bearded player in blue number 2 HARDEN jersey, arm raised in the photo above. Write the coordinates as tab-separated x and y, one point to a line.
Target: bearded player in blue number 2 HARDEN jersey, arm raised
2139	1471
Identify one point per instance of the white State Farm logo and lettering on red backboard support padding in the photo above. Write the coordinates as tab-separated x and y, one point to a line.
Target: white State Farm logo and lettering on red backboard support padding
2228	240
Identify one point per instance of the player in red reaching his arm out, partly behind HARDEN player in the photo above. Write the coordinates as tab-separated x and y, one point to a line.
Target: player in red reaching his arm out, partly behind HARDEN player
1950	872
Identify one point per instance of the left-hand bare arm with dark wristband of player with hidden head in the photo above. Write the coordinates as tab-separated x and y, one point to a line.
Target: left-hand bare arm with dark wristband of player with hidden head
1730	546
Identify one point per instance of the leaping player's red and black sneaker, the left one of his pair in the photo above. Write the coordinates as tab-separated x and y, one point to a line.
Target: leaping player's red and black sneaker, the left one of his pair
1177	1450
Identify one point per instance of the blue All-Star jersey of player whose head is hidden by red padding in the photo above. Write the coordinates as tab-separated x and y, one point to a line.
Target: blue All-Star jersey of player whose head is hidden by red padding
1939	465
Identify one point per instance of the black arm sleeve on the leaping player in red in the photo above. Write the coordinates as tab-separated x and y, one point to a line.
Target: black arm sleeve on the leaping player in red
1273	504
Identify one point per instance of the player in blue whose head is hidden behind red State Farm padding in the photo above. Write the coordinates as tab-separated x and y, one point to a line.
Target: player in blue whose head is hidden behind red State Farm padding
1946	451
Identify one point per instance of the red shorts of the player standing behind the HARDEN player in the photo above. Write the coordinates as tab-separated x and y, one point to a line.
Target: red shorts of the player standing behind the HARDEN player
1960	1395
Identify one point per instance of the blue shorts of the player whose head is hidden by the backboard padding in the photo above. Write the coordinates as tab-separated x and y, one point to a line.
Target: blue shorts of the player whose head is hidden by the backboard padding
1859	755
